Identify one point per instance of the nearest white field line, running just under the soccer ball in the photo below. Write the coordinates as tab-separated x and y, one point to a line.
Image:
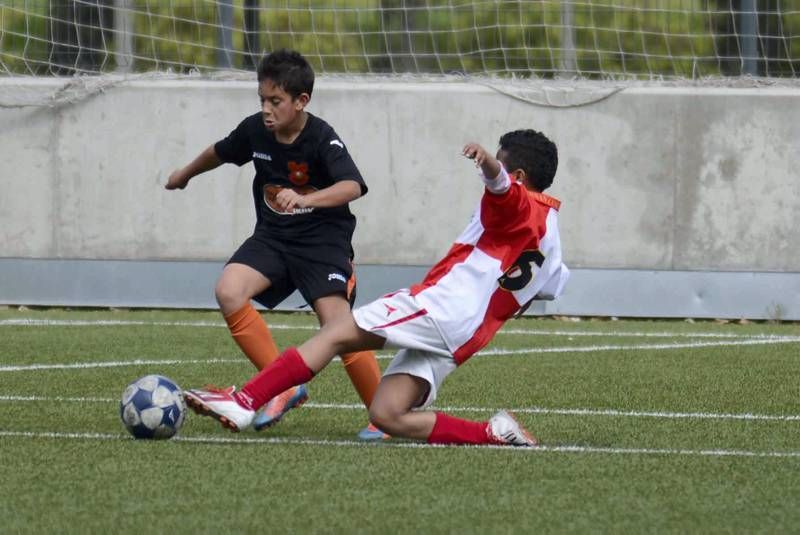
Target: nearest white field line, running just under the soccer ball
246	441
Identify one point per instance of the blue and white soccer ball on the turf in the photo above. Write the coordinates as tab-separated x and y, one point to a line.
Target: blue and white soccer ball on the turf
152	407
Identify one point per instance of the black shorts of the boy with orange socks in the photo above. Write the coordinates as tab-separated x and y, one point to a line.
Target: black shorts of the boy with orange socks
314	272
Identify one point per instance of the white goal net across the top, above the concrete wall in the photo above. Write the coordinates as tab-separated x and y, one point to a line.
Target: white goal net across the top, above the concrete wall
619	40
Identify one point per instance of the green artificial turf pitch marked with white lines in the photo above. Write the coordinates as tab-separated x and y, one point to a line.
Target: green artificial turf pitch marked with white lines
647	426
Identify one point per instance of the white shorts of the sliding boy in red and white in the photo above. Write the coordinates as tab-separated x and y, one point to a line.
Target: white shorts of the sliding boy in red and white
405	325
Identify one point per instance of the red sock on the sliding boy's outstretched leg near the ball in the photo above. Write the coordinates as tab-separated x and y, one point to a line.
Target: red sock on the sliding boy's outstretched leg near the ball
287	371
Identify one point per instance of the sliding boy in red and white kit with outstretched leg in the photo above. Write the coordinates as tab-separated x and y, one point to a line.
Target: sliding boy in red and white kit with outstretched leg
509	255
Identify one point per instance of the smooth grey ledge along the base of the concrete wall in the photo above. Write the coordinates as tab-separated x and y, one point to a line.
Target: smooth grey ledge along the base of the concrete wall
590	292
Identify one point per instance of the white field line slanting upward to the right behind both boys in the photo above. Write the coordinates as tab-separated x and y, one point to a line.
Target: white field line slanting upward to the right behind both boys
488	352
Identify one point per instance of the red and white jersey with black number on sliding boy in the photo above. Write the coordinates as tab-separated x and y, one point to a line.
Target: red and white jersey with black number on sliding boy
509	254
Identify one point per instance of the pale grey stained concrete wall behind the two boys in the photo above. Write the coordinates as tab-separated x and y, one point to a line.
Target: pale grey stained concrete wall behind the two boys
655	179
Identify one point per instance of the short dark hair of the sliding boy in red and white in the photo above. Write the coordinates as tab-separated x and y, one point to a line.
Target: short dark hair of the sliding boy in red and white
532	152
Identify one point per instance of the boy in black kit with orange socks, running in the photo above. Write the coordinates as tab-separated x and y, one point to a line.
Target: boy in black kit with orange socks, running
304	180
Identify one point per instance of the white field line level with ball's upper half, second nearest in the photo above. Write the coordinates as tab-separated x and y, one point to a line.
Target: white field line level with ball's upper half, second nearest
488	410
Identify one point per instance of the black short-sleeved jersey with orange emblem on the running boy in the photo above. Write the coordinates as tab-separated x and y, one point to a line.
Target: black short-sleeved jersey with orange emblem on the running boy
315	160
